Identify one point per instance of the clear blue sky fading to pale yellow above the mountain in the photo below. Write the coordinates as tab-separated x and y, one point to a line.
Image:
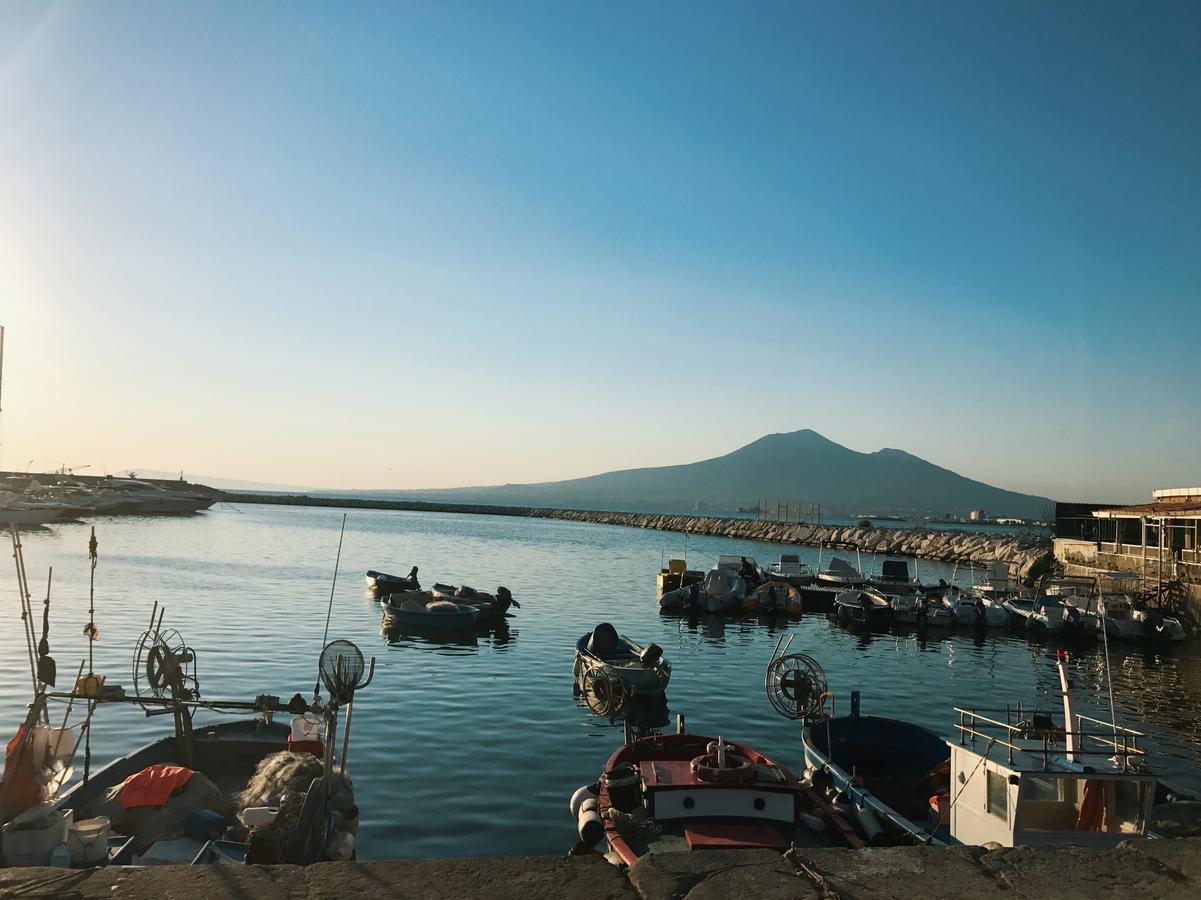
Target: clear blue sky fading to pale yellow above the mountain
421	246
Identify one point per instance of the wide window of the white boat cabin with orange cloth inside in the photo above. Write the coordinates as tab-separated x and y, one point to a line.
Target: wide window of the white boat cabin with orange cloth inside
1078	803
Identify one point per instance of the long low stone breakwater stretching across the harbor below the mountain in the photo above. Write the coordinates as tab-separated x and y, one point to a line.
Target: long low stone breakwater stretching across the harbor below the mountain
1027	553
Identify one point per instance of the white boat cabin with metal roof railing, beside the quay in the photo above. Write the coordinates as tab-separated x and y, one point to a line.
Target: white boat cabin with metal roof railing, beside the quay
1030	782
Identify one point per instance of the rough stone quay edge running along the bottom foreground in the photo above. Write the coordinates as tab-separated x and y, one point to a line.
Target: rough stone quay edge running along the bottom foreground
1139	869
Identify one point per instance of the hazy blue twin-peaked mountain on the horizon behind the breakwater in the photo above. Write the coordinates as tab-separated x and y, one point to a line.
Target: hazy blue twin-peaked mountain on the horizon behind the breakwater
799	466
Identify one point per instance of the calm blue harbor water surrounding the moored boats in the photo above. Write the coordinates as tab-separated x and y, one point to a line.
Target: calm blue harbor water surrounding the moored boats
473	747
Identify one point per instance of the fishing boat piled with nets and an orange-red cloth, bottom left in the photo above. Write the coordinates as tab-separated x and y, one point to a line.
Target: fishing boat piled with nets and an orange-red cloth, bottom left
252	791
